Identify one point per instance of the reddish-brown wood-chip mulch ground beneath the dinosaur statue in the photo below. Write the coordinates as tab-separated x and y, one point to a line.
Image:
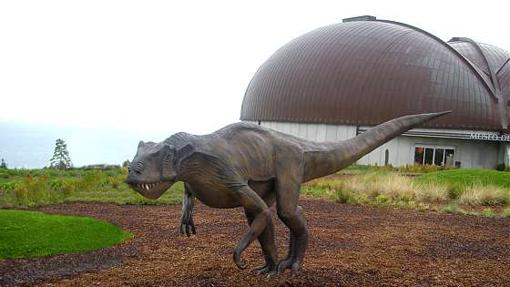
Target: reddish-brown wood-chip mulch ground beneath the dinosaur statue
349	246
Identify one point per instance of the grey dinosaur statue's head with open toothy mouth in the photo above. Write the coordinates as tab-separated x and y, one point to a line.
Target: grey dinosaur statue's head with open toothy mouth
152	172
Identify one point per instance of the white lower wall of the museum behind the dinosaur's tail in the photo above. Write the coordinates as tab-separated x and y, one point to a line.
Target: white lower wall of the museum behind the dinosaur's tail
471	154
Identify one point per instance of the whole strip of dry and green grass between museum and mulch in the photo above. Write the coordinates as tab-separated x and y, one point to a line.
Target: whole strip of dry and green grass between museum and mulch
452	194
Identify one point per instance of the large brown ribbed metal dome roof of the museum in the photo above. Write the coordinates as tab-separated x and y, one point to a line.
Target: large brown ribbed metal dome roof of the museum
366	72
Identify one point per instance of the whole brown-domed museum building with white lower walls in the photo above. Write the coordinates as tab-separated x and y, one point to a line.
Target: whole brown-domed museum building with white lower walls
337	81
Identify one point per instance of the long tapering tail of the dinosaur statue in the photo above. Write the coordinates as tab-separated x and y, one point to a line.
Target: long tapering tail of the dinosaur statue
322	159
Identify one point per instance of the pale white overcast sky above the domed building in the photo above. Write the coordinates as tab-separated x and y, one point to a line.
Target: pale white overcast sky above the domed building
178	65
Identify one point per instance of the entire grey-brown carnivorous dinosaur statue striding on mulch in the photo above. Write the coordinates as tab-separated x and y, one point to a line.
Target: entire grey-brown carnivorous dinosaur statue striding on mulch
245	165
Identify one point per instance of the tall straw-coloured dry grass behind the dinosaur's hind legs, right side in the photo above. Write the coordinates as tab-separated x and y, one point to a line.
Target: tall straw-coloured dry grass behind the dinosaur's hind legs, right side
383	188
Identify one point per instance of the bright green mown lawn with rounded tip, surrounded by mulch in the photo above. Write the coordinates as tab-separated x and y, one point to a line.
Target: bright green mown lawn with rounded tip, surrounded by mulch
36	234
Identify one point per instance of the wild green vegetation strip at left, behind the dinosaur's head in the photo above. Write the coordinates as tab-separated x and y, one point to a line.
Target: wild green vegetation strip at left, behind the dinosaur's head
32	188
